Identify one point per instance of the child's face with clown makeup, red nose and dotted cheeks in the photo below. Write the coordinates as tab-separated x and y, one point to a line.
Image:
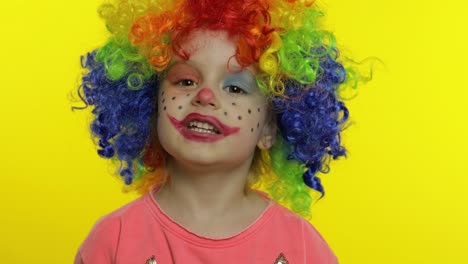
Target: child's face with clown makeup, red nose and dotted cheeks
209	114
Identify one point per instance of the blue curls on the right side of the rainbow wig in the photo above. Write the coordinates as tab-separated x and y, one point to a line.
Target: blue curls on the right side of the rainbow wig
310	119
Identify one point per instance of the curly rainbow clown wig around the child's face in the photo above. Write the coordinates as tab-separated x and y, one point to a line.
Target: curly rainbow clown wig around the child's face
298	71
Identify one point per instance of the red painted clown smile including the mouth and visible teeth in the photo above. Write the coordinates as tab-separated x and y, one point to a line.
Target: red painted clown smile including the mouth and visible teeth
202	128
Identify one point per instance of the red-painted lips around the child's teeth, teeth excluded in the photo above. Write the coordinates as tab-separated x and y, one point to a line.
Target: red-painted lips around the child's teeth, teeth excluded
223	129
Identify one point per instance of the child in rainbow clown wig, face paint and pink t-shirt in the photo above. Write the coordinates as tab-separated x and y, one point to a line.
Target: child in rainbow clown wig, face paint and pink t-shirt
221	114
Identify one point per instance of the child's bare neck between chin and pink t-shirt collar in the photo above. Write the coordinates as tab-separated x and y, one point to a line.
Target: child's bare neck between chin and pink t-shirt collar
205	191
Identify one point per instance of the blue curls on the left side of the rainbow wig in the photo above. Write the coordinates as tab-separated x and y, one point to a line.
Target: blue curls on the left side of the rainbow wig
123	113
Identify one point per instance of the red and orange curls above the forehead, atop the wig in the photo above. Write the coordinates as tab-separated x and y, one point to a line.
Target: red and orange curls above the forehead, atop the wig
248	20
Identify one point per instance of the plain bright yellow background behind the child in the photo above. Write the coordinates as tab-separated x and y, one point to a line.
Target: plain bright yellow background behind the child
400	197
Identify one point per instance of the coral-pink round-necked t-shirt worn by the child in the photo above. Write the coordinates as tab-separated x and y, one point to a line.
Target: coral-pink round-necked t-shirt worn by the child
140	232
